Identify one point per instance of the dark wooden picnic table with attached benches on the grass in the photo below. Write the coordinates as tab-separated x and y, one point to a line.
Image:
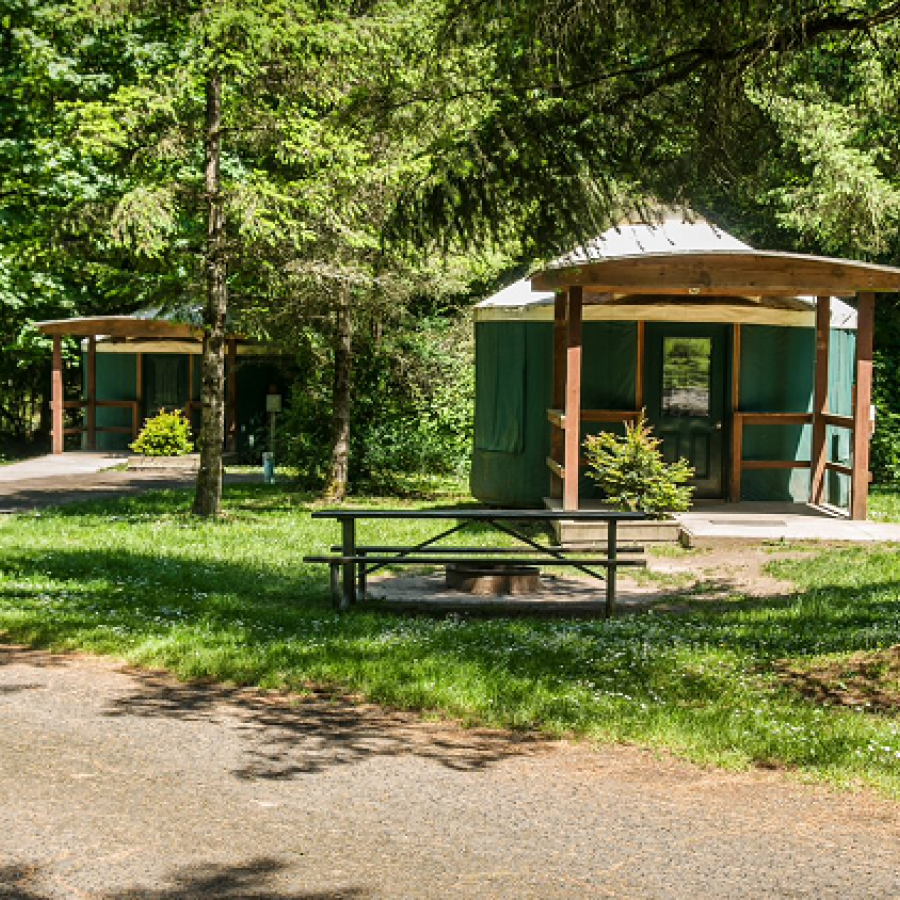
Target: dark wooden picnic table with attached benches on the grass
351	562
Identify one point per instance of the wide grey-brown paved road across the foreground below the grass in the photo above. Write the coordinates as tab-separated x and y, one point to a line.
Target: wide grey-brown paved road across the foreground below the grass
119	785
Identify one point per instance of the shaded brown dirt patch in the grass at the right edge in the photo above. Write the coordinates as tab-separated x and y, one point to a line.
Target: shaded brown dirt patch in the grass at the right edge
865	680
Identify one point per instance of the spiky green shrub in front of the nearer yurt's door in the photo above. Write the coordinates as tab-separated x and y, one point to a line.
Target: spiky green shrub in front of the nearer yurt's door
631	472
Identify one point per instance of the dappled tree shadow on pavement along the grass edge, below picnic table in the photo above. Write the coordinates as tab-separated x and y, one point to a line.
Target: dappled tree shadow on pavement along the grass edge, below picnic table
285	738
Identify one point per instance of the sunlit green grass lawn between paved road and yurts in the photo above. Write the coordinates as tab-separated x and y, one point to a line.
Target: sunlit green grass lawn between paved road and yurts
722	683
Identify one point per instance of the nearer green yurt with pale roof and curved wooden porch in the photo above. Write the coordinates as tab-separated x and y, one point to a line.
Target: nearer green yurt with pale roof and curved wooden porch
747	363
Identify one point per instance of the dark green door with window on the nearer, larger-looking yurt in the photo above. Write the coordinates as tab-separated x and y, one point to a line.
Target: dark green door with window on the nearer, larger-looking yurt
685	382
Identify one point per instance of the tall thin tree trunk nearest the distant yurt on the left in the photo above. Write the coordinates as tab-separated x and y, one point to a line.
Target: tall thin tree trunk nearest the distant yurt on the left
212	428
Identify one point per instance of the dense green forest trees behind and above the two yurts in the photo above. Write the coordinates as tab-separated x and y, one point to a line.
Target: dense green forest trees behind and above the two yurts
346	179
